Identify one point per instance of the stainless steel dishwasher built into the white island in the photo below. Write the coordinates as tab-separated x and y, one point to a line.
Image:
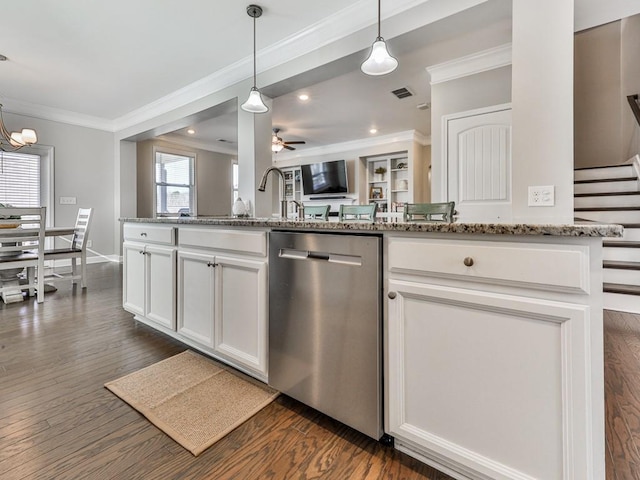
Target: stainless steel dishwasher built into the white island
325	325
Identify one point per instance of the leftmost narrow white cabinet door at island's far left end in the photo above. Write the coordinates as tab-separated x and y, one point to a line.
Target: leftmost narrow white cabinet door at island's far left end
133	291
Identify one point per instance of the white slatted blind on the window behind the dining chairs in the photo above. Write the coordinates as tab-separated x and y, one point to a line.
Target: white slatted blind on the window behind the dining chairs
20	179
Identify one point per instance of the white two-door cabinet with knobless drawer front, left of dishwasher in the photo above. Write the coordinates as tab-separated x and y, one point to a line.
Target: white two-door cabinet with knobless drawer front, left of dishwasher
222	295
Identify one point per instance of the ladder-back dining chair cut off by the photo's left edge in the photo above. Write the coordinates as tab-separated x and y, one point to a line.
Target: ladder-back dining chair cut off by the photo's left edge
21	246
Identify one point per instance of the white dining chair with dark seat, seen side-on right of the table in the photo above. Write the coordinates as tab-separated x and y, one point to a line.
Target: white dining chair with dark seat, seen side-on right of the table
76	250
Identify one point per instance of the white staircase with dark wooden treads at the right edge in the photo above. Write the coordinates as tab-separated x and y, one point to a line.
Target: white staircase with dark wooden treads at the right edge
612	195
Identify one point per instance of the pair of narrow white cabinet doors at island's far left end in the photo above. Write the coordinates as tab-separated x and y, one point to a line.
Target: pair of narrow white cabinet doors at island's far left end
149	282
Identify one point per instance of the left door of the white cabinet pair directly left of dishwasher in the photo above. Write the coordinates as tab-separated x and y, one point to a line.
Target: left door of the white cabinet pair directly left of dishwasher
196	282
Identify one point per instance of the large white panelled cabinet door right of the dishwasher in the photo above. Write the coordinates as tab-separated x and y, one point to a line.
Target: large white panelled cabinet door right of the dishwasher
469	369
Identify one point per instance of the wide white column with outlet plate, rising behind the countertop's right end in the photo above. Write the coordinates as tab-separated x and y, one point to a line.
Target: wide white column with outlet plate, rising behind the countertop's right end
542	99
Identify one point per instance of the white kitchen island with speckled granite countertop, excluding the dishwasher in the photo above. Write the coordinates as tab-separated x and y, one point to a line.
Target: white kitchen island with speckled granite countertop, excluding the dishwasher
493	361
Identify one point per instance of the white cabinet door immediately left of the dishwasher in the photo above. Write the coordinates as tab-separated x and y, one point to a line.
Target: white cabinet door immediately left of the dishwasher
241	311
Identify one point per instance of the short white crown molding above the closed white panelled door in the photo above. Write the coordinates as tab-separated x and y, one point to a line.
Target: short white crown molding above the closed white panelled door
471	64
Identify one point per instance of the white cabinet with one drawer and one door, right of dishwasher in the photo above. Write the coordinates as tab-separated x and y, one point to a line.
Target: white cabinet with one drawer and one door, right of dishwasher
494	357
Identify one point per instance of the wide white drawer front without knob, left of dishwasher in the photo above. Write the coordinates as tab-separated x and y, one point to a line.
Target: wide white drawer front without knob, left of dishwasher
247	242
